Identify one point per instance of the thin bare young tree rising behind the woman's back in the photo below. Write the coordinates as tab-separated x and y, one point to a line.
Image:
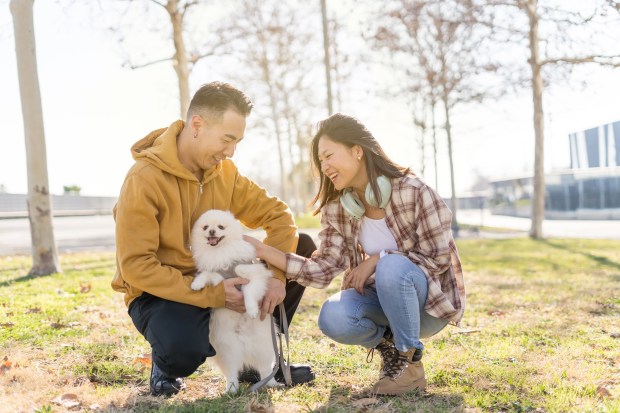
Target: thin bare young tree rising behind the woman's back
439	40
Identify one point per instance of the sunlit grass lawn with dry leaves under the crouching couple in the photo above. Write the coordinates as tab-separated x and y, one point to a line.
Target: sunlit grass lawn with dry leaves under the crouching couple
541	334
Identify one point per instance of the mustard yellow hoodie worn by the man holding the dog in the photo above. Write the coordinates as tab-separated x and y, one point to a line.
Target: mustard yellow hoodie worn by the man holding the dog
158	204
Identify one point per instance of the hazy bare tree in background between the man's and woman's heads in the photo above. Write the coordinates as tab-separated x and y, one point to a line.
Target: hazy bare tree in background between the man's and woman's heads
280	56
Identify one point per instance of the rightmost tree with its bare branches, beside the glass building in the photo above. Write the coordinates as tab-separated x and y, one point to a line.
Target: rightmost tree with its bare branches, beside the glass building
563	27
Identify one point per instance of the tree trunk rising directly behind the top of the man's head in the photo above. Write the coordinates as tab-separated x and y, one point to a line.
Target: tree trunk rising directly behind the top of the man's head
181	64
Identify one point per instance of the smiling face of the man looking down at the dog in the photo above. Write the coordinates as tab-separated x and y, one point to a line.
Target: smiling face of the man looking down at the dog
217	140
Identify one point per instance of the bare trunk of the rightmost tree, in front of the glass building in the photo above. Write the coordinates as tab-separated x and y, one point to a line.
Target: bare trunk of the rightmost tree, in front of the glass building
538	203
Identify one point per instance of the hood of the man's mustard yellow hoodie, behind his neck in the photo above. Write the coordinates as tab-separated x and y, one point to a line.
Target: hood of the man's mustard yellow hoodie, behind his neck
159	148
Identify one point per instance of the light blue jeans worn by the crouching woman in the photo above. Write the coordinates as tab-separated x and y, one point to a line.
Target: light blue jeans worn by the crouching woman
396	301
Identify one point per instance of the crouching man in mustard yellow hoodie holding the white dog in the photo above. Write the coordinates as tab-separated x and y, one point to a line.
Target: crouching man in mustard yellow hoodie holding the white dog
180	172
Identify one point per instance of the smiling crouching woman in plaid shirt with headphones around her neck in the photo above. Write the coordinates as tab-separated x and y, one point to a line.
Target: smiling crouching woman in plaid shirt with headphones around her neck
391	234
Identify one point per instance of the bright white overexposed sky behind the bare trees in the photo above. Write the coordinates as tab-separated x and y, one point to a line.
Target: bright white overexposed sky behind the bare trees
95	109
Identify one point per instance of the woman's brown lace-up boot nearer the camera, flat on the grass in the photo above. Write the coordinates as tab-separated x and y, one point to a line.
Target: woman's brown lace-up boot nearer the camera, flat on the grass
402	375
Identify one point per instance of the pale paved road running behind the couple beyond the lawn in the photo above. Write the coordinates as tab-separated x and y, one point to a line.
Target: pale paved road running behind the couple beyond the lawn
97	232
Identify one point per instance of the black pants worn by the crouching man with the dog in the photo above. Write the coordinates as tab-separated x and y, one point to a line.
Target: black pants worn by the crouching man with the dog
179	333
